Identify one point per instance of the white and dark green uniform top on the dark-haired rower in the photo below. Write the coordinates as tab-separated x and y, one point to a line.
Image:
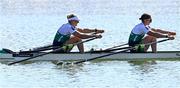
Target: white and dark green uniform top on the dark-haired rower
137	34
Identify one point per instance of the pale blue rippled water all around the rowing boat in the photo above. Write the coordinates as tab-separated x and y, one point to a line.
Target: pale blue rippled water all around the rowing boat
25	24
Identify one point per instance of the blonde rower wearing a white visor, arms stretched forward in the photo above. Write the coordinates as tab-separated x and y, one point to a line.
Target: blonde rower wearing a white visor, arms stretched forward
68	34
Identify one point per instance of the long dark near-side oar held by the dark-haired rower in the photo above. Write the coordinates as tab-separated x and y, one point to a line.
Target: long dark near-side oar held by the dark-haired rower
130	48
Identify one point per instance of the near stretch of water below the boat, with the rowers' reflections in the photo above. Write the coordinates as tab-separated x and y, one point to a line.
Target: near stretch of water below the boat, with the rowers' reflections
92	74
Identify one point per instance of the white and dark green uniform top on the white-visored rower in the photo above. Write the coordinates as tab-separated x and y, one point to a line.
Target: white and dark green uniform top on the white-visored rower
63	34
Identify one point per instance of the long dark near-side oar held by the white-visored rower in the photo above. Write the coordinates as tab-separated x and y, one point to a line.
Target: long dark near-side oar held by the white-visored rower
49	52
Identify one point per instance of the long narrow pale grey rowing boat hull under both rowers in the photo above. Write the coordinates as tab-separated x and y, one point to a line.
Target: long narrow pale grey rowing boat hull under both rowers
168	55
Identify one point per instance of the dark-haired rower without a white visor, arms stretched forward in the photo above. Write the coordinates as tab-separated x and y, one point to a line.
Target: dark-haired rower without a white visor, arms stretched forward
137	35
